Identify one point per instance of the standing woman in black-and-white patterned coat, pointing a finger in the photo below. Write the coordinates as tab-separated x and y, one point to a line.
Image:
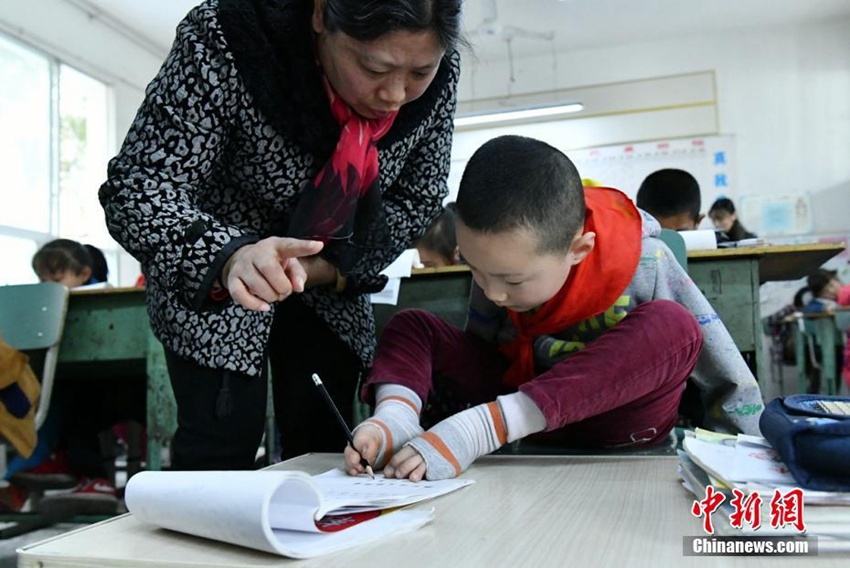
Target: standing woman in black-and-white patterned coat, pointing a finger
286	152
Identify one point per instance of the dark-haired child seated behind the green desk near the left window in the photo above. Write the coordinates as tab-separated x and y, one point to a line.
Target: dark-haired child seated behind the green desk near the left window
68	450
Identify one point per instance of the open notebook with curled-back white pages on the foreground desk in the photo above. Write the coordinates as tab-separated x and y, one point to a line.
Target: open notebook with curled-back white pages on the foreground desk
282	512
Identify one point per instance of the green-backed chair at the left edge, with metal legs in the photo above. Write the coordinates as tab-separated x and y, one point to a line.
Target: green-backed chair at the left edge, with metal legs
32	318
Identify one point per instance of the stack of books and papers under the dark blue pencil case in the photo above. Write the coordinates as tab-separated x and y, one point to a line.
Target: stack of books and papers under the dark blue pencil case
749	464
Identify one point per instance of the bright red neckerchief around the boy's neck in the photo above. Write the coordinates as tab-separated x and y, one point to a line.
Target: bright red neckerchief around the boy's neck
592	286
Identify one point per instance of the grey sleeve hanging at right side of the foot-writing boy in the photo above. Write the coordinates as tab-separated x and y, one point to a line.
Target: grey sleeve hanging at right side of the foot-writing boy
731	395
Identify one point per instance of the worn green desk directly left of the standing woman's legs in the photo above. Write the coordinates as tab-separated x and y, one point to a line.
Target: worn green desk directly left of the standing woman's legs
108	336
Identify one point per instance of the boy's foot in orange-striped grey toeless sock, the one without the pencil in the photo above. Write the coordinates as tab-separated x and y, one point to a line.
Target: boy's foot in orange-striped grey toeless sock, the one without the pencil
448	449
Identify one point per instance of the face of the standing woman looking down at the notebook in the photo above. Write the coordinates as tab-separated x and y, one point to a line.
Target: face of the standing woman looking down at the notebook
377	77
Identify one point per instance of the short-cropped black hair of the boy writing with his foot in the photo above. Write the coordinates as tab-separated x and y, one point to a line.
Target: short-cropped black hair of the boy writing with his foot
514	182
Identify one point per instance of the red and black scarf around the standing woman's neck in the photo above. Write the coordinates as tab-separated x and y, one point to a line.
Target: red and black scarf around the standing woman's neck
329	211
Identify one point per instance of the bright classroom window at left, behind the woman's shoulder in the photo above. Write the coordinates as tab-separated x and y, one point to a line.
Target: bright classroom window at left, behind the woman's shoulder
53	153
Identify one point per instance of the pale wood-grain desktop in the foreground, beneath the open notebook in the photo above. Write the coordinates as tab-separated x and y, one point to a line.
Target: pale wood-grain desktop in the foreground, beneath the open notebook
522	511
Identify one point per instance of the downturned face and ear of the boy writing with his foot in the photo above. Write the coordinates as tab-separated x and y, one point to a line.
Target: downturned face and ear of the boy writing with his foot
511	272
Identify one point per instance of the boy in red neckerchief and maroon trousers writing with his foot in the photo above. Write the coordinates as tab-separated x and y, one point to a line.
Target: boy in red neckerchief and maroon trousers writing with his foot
582	330
